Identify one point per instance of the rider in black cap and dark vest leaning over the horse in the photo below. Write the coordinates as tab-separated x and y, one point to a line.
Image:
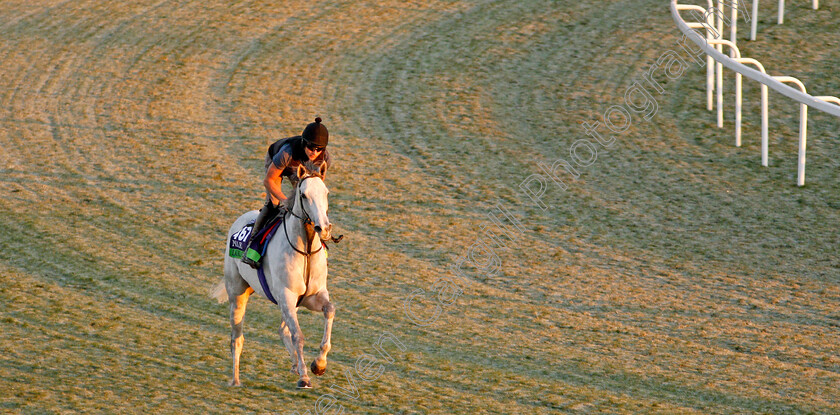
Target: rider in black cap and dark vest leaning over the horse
282	160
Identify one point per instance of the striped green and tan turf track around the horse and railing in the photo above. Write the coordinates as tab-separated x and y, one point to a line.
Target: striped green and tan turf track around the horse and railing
675	275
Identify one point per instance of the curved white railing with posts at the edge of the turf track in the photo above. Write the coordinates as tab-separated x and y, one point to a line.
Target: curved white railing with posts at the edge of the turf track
713	50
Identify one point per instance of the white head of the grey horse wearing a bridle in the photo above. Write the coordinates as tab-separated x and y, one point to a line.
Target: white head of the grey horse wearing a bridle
311	198
